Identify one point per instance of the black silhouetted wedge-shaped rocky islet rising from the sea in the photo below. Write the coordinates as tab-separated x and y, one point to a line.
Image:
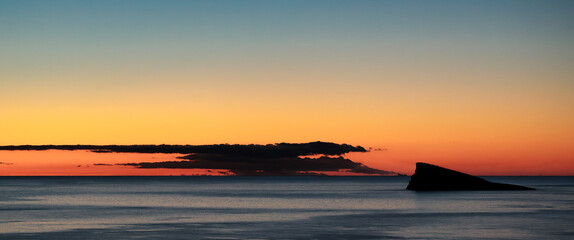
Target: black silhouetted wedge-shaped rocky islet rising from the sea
429	177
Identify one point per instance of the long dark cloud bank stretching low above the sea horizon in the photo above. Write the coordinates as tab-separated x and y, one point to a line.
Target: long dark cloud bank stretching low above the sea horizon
270	159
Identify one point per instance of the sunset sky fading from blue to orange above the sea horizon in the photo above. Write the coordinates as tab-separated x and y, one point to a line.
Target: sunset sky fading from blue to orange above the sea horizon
485	87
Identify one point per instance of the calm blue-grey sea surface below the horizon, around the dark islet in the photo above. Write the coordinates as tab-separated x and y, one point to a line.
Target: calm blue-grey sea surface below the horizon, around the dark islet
278	208
